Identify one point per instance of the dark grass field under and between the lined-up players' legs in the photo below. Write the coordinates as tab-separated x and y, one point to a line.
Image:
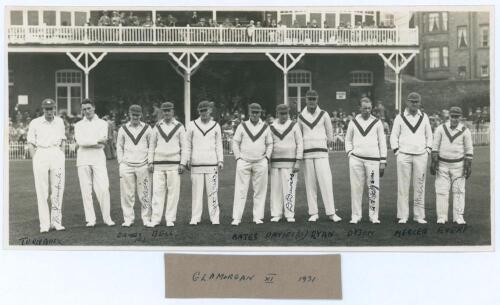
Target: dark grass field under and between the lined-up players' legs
24	224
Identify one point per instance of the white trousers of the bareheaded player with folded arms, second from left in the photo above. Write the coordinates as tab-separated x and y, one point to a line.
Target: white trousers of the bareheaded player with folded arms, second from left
95	176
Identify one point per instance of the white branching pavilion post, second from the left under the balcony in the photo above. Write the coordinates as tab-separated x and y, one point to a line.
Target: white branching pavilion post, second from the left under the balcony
186	64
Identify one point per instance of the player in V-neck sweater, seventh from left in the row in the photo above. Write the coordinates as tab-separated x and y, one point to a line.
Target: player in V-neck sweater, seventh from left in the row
285	164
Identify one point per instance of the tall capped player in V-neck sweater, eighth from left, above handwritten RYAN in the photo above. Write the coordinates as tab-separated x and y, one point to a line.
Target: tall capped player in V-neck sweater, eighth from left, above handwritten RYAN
317	133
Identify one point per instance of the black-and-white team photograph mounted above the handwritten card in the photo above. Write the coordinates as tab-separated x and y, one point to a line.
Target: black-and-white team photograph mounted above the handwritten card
345	128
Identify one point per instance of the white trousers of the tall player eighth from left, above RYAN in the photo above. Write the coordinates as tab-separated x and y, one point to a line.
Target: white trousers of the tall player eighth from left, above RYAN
319	169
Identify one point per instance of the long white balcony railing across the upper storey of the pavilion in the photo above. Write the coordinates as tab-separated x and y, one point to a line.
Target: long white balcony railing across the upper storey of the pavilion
125	35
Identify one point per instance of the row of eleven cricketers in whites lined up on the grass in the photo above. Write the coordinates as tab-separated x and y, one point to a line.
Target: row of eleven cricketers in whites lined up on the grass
152	160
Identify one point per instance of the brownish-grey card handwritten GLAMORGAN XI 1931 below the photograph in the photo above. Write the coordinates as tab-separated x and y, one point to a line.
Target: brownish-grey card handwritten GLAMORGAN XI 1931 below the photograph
253	276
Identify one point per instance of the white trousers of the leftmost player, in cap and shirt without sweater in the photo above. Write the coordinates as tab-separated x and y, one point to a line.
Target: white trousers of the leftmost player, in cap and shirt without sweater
48	165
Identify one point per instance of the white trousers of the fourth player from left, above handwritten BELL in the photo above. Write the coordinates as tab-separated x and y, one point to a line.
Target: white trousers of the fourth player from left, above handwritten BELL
165	181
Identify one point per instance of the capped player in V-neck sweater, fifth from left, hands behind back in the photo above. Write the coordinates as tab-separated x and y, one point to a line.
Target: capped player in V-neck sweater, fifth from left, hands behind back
205	158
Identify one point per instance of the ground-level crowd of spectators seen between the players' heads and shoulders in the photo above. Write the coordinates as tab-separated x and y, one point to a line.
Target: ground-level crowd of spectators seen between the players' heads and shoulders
229	117
